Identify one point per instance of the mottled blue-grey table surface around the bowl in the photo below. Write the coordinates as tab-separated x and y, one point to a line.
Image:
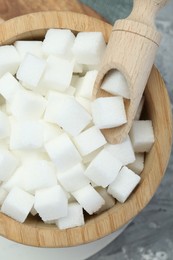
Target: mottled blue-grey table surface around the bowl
150	235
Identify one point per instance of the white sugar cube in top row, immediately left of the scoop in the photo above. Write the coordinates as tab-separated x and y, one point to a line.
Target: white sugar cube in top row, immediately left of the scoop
89	47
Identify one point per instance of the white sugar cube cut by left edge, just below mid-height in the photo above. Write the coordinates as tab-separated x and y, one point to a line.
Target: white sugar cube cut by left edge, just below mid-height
8	164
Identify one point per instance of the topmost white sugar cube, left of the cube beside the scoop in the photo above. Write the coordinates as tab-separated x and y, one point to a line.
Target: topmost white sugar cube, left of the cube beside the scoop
58	42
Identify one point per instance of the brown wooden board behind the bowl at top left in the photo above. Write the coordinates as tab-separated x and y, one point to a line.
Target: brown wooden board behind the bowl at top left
13	8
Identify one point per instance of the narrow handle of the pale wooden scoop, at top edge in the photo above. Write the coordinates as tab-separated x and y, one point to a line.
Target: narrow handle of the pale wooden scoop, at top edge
144	11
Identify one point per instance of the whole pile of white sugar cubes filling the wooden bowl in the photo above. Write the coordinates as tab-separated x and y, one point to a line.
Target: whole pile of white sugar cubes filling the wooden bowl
54	159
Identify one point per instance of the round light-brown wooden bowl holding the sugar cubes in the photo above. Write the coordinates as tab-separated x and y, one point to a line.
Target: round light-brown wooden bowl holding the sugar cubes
33	231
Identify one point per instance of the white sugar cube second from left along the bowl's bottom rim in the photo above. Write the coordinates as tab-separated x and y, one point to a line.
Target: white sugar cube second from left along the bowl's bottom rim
51	203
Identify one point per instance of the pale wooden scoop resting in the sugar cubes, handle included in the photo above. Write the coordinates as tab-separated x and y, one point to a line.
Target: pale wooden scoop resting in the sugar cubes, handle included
131	50
